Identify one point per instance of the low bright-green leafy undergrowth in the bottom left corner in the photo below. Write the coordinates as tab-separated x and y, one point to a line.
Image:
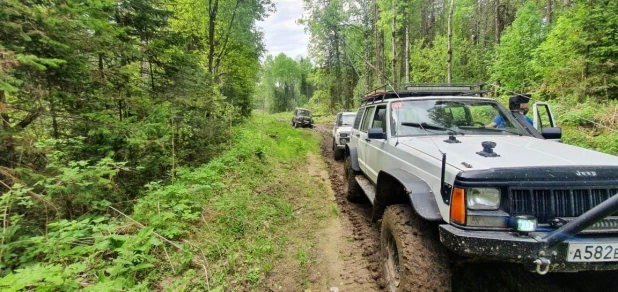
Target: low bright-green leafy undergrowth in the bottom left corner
88	253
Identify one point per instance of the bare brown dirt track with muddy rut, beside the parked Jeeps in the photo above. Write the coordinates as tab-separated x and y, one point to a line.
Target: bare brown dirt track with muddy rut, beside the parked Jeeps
342	253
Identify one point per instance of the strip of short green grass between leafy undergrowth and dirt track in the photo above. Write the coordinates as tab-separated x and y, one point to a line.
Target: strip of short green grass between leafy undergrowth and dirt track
248	197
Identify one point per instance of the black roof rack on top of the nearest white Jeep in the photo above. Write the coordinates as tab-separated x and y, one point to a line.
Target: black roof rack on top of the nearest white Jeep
423	89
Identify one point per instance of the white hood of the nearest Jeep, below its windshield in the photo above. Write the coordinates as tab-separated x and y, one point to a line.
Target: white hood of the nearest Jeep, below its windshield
514	151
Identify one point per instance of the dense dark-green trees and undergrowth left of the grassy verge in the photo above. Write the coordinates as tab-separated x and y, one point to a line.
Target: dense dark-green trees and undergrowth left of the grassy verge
102	104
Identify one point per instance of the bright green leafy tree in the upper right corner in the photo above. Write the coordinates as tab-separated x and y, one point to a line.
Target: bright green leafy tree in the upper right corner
577	58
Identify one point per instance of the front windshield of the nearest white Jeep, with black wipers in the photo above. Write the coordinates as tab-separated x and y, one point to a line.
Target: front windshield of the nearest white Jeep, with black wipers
463	116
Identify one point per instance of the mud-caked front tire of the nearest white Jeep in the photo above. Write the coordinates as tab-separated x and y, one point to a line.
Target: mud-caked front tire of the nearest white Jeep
413	257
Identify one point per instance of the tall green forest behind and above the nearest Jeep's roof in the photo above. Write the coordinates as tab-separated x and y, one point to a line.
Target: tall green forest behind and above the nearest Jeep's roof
556	49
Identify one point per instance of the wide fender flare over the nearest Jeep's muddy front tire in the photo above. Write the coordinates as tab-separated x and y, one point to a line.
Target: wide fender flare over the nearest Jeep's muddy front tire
397	186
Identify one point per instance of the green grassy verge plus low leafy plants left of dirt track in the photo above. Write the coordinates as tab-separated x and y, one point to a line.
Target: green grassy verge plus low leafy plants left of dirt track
231	220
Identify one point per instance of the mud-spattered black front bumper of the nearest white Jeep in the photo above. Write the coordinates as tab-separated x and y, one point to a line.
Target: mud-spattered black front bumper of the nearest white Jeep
508	246
